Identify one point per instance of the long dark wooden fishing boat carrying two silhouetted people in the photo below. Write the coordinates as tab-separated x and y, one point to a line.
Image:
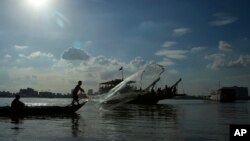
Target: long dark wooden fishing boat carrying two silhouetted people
40	110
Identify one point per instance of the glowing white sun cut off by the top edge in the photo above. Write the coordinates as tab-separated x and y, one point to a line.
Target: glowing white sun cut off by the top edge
38	4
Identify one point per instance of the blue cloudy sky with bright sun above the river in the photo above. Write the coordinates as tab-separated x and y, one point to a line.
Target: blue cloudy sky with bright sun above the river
49	45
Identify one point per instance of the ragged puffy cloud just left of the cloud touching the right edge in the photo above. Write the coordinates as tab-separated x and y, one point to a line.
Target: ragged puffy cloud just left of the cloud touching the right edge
218	61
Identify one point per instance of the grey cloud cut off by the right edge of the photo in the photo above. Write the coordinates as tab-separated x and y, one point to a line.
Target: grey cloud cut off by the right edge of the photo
242	61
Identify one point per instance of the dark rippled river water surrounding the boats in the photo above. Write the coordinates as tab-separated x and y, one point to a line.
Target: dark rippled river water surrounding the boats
169	120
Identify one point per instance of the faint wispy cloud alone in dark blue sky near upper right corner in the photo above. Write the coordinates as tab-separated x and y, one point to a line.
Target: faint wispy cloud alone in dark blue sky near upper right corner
223	19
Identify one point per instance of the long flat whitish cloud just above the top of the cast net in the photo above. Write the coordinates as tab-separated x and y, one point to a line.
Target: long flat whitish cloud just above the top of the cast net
174	54
